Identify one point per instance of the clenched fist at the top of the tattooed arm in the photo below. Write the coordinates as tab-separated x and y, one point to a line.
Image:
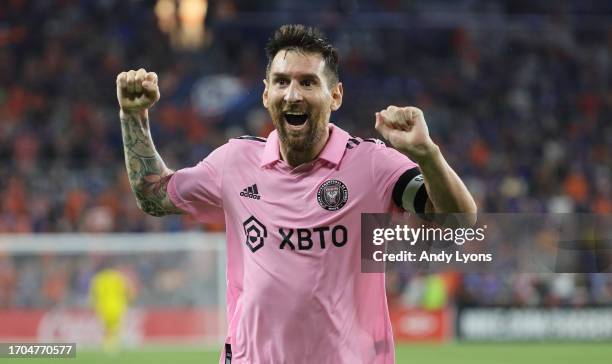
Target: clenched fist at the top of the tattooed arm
137	90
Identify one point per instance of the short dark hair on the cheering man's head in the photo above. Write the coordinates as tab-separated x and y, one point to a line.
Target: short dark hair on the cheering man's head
301	38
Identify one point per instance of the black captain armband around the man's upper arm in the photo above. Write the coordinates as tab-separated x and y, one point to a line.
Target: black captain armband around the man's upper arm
409	192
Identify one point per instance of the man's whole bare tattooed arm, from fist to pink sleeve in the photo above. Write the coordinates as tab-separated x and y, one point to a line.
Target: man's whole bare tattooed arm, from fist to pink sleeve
137	91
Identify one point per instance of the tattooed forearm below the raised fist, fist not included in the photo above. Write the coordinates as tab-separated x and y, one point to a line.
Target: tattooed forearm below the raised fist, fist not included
147	172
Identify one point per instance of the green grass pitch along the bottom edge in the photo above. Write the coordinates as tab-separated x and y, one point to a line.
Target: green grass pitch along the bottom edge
515	353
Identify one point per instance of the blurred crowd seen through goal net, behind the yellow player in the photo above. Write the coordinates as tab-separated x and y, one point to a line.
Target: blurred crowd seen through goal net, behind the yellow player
180	278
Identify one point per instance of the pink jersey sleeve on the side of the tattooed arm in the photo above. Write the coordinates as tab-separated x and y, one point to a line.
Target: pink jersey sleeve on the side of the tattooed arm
198	190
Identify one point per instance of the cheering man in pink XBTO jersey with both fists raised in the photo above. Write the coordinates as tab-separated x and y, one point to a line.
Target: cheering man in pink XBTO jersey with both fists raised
292	205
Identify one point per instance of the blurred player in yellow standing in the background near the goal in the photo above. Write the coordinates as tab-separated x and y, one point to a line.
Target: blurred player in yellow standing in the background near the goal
110	294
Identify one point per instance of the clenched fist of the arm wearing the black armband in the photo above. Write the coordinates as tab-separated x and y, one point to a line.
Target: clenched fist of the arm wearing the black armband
406	130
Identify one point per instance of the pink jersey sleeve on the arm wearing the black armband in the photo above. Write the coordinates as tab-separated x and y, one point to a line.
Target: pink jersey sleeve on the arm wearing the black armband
390	170
